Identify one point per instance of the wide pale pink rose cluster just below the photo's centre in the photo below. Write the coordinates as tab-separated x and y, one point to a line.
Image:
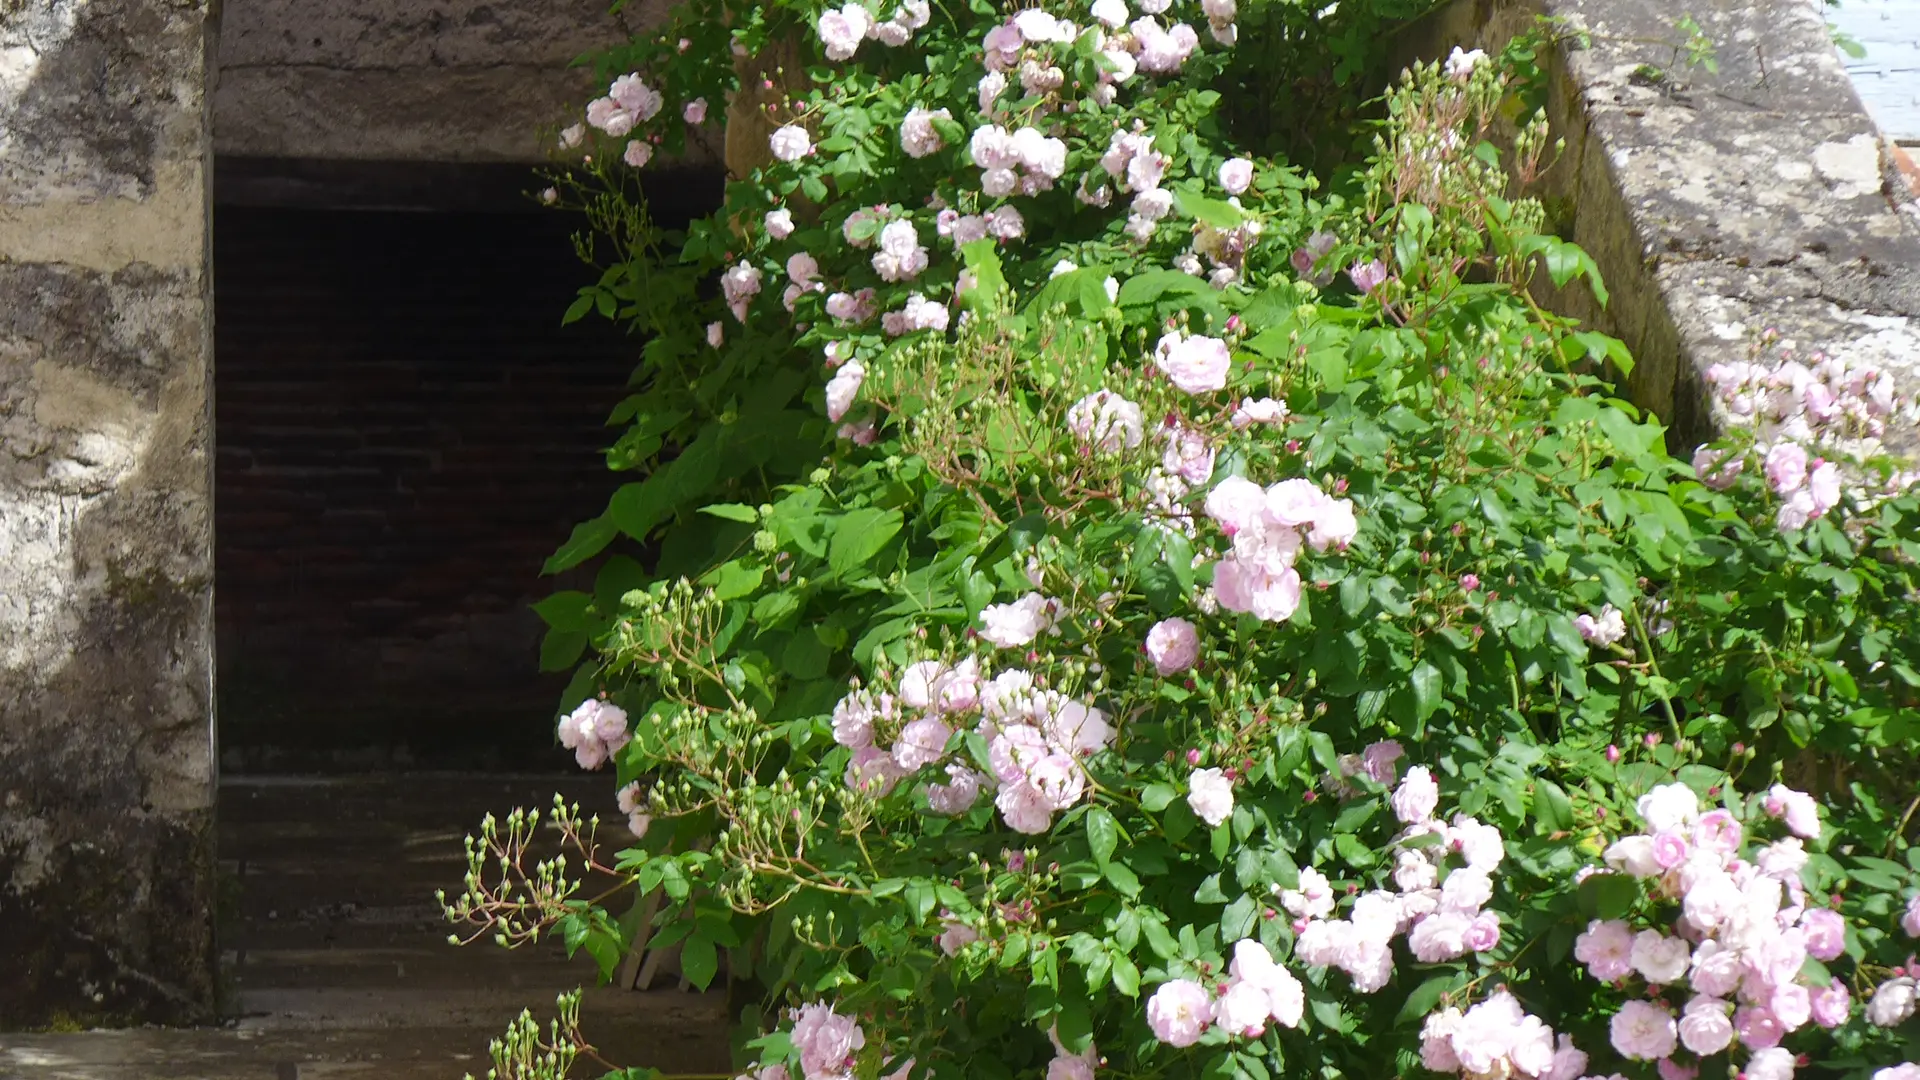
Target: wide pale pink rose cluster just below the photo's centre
1038	741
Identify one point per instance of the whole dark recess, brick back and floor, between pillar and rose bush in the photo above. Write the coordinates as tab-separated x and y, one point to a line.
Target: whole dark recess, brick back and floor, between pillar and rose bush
404	433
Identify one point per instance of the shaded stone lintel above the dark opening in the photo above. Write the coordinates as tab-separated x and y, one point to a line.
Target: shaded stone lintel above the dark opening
408	80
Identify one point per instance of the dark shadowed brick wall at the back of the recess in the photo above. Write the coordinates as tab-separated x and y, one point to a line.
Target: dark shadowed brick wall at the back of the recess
404	435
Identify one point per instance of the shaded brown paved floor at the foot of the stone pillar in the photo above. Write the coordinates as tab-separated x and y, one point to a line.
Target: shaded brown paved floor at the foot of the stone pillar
335	954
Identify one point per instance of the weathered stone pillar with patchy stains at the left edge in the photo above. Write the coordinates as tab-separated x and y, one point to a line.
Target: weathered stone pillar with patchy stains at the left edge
107	541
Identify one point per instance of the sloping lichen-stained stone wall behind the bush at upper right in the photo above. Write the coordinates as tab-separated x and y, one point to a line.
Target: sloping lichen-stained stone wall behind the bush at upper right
1719	205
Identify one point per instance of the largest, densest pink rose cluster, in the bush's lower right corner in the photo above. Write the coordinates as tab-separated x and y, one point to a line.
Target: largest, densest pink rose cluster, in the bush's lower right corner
1740	939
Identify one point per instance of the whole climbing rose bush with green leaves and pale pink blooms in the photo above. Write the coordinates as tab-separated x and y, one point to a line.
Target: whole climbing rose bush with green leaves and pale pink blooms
1103	602
